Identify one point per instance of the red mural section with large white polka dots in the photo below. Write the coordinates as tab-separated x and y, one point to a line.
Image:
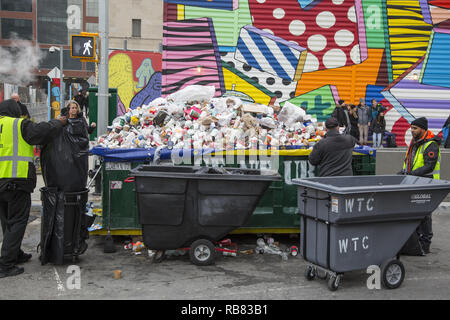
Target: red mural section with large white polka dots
332	31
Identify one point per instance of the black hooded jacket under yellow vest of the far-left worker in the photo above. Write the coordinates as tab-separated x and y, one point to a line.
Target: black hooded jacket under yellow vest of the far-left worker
33	134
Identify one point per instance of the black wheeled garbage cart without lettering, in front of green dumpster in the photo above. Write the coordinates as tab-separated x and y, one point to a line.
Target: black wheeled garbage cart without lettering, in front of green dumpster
193	206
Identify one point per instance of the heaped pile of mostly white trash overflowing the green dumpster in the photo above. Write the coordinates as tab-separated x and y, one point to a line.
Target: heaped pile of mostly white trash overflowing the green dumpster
193	118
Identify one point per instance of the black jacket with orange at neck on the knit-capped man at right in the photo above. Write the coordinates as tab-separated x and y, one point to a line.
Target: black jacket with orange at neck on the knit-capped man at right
430	155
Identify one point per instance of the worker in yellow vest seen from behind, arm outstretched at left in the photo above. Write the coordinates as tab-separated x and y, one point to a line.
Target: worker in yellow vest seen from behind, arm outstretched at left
18	179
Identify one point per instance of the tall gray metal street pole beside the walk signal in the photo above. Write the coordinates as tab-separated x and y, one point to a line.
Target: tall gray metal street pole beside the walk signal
103	92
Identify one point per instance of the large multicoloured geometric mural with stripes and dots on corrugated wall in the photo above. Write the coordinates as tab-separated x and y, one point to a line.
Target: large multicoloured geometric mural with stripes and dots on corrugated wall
312	52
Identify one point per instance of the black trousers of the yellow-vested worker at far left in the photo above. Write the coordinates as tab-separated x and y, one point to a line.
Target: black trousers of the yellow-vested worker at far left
14	213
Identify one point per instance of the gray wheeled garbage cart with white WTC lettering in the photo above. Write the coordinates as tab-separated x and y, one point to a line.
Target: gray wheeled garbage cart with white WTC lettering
351	223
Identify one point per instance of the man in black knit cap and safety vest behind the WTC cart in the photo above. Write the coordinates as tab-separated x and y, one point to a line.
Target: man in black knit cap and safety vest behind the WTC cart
423	160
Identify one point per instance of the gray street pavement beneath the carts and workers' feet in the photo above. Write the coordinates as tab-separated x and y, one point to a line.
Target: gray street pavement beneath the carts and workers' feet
254	277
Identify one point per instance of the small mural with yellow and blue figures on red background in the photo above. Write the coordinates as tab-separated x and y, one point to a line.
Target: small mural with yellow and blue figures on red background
137	77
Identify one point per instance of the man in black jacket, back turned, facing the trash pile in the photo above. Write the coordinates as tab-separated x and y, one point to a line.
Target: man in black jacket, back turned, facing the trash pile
333	154
